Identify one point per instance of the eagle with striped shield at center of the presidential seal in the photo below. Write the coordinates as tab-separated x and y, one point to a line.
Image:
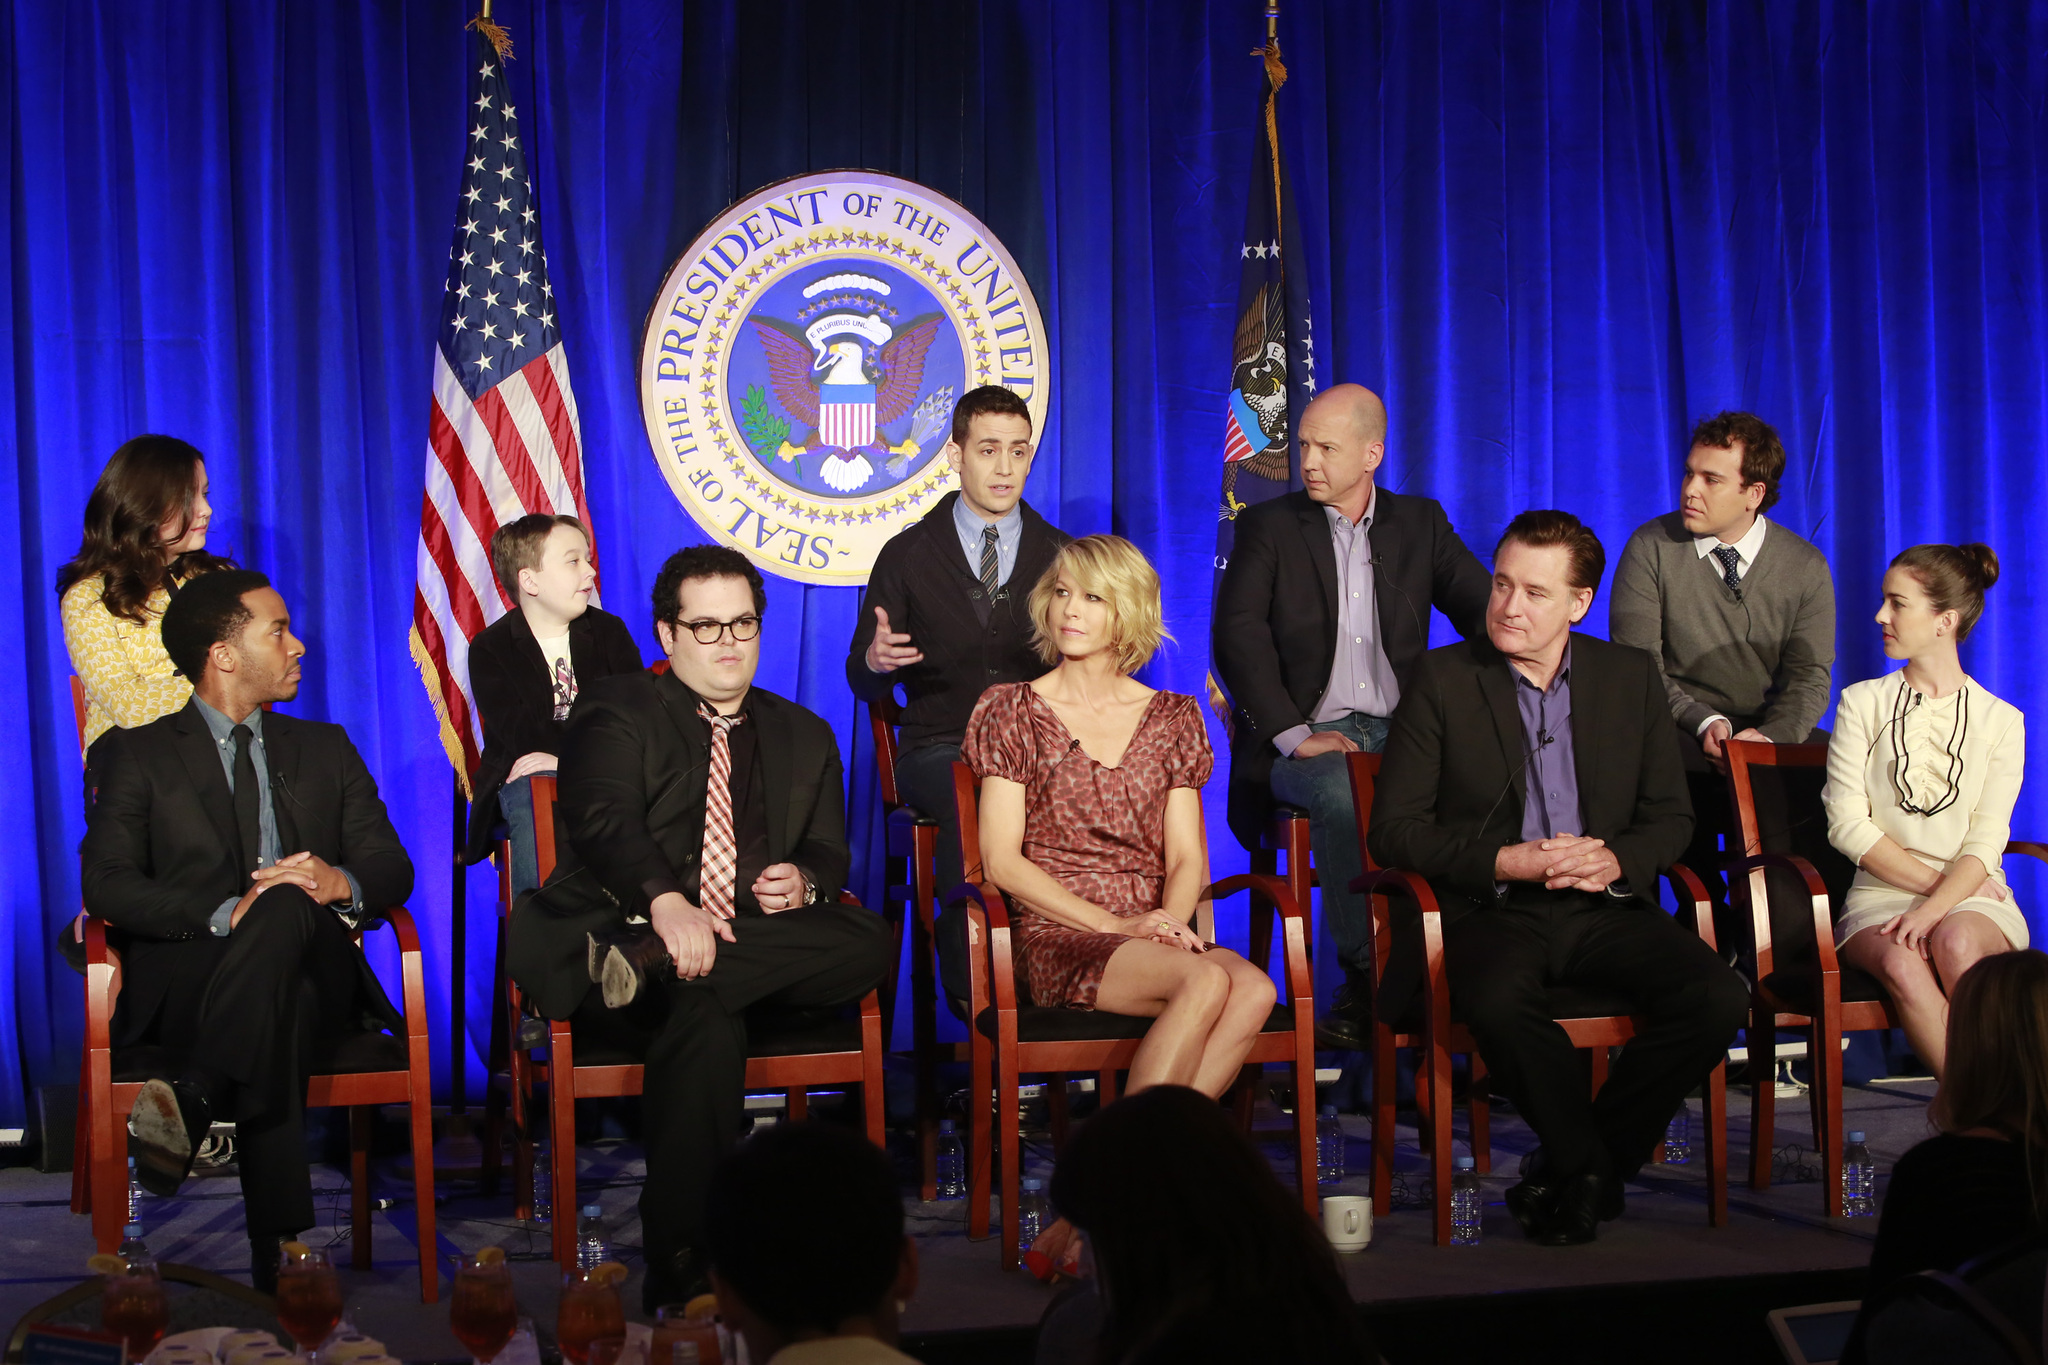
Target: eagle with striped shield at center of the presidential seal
847	369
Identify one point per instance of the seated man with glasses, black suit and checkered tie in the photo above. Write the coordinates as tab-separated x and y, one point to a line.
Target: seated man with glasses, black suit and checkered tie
706	850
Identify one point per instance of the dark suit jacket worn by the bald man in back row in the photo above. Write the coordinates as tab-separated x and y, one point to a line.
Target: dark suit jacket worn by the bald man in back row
1275	631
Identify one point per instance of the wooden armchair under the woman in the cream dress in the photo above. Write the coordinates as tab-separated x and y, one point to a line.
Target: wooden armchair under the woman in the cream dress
1789	877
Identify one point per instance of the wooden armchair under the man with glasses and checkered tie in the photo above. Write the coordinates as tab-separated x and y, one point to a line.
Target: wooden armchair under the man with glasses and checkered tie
792	1061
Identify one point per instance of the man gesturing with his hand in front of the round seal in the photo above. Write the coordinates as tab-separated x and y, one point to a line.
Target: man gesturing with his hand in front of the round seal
945	617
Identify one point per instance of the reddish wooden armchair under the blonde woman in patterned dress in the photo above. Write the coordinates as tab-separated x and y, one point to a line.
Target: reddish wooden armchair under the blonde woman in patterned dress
1013	1039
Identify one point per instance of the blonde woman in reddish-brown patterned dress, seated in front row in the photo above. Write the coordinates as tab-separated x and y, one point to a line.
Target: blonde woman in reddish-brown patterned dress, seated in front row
1093	826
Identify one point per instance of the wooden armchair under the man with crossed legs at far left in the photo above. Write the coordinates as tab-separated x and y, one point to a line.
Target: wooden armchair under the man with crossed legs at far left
372	1069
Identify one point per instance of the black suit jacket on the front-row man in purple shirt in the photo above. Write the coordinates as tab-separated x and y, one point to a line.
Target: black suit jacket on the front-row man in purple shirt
1451	783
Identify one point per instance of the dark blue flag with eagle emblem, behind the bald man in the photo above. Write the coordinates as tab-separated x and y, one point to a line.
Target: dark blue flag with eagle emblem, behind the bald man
1273	353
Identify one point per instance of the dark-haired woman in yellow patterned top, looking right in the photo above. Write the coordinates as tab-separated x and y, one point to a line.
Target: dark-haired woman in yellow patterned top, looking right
146	533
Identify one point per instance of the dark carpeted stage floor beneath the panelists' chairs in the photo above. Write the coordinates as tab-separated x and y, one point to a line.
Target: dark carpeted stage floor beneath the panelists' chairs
1658	1286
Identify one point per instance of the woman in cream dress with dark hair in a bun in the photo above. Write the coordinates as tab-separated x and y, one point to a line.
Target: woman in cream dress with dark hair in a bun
1922	779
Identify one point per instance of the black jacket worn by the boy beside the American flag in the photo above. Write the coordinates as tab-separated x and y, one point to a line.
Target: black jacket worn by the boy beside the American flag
517	699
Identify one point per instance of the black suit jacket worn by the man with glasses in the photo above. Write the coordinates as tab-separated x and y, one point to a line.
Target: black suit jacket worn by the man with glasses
632	818
